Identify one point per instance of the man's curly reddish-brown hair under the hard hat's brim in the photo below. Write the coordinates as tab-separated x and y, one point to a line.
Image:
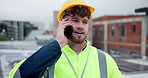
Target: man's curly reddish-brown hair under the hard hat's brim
80	10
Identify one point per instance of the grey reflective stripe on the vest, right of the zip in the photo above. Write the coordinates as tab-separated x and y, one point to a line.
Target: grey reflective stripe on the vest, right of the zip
102	64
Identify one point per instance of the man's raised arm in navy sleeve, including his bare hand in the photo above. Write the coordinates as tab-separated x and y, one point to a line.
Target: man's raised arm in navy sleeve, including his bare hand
44	57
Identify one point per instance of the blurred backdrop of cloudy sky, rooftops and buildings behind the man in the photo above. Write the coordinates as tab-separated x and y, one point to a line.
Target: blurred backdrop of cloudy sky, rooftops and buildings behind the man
118	27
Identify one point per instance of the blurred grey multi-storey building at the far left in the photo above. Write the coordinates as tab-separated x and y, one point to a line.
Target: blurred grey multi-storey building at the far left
16	30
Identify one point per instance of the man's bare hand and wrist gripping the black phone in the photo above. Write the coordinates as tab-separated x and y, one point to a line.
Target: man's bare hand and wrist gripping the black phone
60	37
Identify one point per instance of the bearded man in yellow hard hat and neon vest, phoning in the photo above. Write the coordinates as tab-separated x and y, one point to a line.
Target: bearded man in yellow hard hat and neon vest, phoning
69	58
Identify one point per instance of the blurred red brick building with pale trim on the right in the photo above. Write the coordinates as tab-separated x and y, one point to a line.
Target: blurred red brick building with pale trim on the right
125	34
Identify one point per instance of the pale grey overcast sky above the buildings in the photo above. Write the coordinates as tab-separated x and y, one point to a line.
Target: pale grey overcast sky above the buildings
42	10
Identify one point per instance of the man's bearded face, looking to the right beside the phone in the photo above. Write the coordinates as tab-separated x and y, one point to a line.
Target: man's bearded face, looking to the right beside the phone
80	26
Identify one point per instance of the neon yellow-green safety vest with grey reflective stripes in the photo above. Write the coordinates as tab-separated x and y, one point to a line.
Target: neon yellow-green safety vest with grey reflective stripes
83	65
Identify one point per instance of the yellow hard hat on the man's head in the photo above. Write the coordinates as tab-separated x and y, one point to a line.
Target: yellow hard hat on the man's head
72	3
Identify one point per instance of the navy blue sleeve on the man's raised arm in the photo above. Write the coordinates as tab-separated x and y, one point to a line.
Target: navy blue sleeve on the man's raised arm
40	60
